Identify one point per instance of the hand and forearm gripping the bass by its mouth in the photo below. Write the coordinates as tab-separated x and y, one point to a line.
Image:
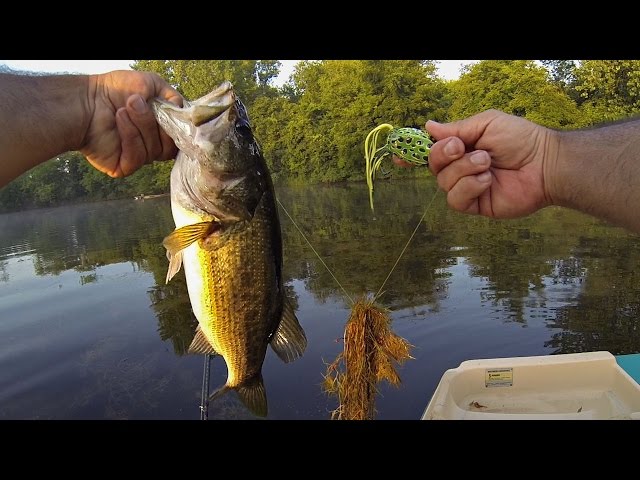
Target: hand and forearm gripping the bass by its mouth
104	116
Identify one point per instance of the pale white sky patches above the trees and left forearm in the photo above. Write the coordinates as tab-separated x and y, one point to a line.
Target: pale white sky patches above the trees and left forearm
448	69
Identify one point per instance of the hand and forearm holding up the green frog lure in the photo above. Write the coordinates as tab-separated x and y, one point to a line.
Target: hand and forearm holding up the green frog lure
503	166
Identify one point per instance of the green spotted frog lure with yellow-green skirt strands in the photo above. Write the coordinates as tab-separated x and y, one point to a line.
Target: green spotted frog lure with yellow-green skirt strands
410	144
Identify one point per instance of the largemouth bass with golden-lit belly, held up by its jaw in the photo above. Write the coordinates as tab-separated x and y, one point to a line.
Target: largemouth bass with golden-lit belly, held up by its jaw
228	238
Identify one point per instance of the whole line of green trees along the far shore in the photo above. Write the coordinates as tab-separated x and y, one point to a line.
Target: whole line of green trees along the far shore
313	127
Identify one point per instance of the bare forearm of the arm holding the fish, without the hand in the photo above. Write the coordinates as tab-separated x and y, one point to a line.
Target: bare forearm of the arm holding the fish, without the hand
40	117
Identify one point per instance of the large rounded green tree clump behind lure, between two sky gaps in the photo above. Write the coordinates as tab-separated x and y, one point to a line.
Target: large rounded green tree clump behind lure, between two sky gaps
334	104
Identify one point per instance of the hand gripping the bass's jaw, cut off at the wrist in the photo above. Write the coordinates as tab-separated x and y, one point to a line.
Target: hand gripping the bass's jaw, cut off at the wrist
122	133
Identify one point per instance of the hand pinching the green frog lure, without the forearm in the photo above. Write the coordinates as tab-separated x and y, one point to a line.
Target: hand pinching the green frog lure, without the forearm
492	164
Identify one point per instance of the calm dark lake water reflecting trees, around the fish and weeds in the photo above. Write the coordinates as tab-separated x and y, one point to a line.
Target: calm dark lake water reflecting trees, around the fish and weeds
89	330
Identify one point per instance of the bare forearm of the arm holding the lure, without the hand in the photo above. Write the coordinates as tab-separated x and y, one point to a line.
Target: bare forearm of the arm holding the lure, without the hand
598	172
